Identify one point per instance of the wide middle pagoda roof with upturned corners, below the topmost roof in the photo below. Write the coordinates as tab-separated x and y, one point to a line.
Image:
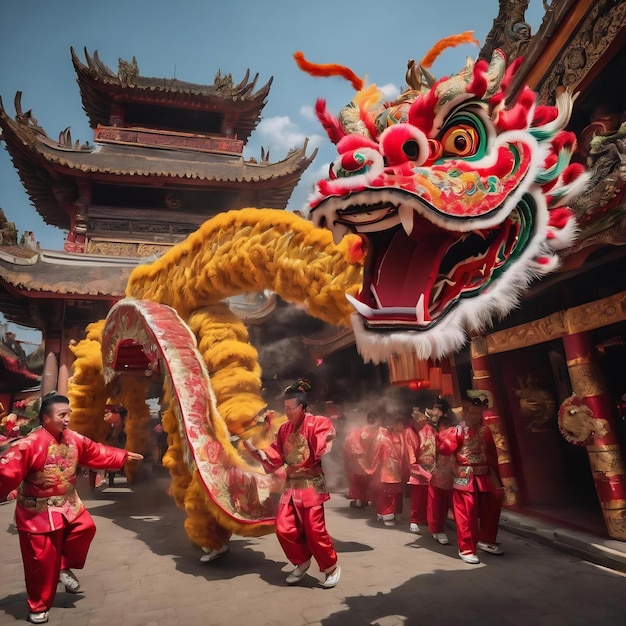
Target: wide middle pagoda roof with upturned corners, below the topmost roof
49	169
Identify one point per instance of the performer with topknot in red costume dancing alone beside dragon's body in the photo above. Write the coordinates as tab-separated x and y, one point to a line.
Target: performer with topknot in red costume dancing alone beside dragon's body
300	525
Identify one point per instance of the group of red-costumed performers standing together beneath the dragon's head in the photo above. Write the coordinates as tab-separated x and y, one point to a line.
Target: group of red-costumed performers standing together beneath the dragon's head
448	467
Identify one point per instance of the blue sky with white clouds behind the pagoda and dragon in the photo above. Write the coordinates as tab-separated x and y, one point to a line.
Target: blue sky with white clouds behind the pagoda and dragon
192	39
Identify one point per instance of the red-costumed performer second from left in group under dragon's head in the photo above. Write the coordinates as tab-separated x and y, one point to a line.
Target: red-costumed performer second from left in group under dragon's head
388	469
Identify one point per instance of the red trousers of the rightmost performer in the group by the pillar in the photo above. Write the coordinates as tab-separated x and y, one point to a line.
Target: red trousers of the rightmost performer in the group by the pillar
477	515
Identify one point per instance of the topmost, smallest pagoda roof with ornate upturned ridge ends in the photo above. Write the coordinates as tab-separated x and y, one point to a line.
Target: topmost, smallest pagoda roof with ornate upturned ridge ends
100	87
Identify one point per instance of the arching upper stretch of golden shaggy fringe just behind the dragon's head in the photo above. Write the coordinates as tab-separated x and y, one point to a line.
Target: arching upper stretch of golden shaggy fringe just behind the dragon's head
250	250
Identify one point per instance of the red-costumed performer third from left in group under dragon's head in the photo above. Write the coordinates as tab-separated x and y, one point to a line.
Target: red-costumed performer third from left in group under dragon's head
419	442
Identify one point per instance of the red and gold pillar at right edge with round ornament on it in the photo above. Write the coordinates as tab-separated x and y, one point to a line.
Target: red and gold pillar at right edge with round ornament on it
607	466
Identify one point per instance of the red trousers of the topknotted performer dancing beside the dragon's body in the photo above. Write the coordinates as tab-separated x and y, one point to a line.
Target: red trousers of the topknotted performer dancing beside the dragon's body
302	533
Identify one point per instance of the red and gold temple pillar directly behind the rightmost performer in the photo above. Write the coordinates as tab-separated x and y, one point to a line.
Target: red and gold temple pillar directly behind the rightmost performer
481	379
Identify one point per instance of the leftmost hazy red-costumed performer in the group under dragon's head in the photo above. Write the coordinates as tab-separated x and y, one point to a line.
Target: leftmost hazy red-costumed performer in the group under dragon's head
358	452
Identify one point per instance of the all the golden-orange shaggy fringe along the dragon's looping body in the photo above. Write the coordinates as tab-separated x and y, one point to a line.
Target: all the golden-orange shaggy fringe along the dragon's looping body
233	253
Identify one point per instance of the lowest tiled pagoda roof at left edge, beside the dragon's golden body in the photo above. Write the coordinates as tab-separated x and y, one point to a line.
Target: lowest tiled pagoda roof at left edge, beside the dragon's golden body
58	275
